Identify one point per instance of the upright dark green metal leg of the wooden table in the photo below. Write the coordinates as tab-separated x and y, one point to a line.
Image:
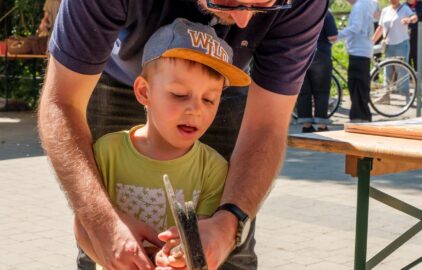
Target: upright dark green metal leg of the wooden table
364	170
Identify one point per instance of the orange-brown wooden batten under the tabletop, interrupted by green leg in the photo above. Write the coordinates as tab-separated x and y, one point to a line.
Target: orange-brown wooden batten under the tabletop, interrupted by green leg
380	166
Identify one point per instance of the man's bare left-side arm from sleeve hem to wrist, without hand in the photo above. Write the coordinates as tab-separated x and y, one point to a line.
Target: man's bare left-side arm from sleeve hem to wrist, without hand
66	138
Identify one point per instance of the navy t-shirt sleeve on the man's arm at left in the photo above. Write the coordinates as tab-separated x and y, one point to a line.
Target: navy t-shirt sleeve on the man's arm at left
84	33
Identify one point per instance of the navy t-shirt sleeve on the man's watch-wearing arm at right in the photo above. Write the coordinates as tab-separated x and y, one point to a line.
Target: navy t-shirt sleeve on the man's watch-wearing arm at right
282	58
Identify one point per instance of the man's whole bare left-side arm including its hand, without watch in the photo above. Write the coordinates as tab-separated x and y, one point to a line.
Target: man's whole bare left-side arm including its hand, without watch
66	138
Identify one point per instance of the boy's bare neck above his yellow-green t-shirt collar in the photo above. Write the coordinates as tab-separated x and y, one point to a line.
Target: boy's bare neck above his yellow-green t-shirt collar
149	144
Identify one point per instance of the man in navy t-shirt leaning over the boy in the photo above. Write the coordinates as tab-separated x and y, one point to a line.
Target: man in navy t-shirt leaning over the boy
282	41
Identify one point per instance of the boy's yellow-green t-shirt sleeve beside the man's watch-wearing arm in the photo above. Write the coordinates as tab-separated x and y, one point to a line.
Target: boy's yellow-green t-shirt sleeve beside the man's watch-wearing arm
213	187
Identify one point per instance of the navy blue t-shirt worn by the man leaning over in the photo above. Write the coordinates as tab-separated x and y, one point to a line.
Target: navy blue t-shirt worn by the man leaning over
92	36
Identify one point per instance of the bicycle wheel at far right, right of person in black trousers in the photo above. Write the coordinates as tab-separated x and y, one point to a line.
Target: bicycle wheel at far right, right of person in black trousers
393	88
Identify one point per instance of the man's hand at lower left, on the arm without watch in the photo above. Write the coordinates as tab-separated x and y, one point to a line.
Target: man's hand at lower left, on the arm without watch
121	246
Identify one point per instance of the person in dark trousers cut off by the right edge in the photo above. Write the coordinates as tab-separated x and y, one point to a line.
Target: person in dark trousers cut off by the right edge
416	7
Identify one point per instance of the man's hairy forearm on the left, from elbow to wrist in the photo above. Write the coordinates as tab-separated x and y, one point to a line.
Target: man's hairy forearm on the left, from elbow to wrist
67	141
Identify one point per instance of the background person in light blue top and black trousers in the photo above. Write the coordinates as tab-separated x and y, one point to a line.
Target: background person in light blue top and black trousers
359	47
